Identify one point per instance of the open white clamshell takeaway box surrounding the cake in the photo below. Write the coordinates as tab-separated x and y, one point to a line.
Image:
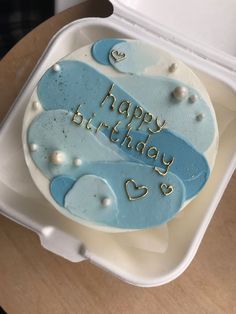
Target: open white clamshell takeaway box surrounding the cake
210	51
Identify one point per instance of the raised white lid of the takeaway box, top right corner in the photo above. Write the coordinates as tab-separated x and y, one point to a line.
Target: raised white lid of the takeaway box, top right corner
207	28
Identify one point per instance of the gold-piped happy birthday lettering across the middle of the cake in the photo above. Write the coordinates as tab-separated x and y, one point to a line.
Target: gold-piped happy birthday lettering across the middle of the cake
135	119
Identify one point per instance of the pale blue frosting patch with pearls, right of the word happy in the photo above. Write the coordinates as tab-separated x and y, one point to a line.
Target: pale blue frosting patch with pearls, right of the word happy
154	95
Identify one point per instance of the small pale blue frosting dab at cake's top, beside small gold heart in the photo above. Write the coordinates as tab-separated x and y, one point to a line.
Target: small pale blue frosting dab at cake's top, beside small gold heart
138	57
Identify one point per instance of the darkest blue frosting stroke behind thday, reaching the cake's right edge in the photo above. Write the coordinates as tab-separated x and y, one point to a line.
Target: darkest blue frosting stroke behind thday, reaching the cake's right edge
190	166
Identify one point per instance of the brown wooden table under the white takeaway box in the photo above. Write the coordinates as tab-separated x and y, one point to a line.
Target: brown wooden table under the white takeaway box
34	280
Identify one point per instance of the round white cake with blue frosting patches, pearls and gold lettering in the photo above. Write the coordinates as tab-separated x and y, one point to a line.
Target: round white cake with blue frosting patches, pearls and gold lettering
120	135
